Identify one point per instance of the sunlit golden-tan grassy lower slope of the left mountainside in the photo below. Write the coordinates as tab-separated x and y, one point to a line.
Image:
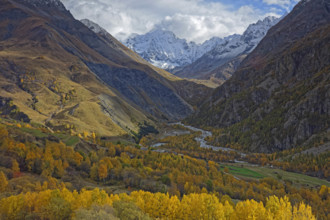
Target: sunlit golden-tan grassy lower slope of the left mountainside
89	116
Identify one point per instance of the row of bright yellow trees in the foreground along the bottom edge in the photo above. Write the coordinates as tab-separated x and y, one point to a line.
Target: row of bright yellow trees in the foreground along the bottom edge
64	204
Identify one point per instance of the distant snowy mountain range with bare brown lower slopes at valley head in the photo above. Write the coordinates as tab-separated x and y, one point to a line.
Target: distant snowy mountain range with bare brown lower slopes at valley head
200	61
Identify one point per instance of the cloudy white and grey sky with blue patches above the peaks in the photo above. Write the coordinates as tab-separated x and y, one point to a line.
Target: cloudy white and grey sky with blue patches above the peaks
194	20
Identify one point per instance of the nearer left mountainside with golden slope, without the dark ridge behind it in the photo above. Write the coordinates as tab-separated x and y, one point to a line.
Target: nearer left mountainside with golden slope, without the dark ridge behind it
43	75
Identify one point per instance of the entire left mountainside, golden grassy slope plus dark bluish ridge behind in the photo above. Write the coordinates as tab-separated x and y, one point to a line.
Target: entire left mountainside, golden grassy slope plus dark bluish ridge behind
59	72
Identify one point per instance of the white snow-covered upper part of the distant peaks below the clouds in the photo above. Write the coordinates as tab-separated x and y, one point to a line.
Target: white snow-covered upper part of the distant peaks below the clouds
165	50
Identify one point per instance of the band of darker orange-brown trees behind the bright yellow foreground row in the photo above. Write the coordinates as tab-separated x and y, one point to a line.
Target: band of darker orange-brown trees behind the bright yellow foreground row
174	174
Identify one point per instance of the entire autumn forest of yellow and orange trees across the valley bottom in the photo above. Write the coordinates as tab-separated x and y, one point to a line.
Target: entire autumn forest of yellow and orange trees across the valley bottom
44	175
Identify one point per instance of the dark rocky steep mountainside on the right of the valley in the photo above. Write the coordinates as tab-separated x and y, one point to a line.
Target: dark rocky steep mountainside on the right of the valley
279	97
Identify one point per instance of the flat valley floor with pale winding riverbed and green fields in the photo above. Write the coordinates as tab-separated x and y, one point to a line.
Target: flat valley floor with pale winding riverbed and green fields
239	167
